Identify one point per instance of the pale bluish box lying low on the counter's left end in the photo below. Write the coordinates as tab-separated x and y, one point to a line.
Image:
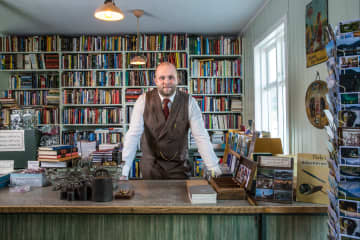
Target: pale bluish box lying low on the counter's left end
31	179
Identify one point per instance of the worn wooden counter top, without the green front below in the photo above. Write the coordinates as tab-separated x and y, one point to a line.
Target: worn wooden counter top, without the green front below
151	197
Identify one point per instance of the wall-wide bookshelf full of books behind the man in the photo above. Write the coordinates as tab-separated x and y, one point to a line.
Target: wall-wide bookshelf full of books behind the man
98	86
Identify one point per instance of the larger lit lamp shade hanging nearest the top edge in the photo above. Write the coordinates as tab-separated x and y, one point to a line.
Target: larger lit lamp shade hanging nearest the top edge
109	12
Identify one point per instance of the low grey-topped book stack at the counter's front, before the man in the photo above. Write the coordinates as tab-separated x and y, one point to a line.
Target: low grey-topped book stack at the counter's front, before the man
200	192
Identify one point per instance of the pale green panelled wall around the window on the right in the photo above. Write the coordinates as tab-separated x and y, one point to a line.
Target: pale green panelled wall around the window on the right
303	136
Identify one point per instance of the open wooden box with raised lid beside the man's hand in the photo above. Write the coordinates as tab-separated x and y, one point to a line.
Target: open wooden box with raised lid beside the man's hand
235	188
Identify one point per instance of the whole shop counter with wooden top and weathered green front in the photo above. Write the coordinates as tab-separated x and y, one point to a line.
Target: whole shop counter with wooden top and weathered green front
159	210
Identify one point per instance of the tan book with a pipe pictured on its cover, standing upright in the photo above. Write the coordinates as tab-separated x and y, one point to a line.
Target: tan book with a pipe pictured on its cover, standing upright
312	178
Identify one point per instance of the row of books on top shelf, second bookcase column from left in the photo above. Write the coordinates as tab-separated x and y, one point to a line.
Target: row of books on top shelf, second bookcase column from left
92	43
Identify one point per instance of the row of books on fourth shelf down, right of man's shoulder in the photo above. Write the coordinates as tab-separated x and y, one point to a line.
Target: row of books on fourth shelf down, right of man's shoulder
210	104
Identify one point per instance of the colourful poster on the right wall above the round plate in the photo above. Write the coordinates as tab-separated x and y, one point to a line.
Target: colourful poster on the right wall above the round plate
316	20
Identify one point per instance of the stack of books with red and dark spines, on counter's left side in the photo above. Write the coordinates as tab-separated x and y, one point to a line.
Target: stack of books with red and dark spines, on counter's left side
57	155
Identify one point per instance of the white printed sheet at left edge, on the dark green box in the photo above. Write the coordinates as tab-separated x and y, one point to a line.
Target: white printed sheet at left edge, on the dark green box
12	140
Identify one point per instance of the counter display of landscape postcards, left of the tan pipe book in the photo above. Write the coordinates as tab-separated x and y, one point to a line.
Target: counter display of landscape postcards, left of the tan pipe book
274	181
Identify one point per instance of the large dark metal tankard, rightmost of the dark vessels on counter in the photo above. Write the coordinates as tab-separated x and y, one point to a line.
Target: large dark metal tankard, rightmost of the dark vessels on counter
102	186
